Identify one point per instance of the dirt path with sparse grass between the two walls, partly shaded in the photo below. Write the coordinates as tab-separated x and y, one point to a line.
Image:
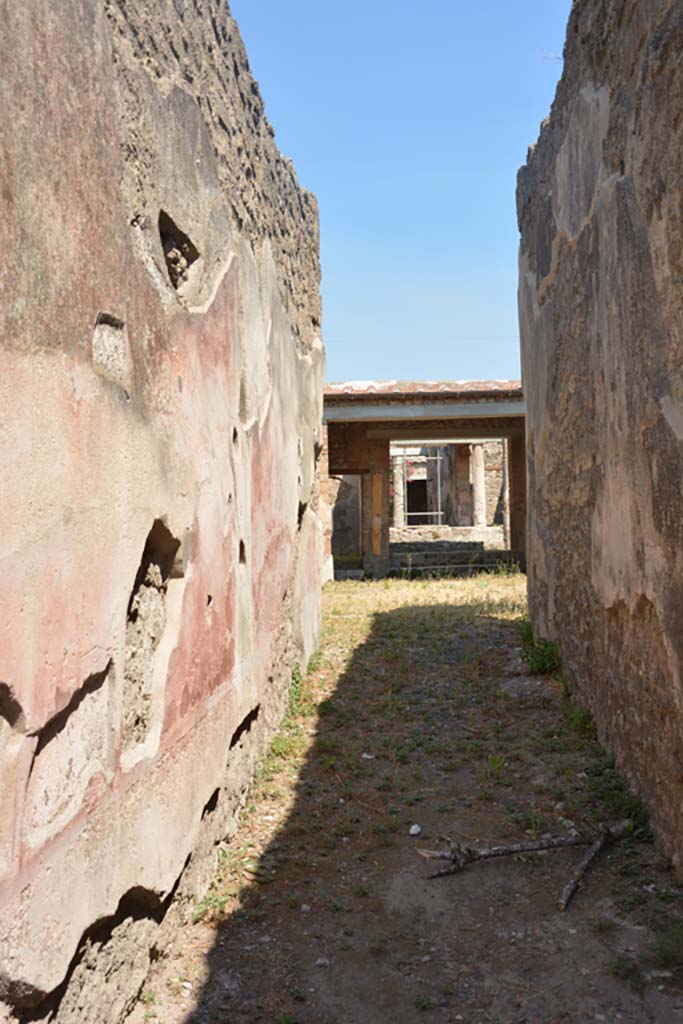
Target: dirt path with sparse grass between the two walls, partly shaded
419	711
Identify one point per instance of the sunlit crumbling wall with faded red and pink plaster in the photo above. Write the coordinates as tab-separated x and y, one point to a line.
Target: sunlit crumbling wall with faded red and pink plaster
161	377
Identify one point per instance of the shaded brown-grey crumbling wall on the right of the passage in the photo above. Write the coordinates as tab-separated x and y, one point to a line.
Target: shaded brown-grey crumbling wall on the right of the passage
602	267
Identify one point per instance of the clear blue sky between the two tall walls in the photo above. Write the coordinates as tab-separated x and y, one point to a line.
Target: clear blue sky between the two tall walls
410	122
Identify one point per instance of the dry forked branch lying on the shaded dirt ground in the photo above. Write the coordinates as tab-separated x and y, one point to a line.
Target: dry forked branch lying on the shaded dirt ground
460	856
